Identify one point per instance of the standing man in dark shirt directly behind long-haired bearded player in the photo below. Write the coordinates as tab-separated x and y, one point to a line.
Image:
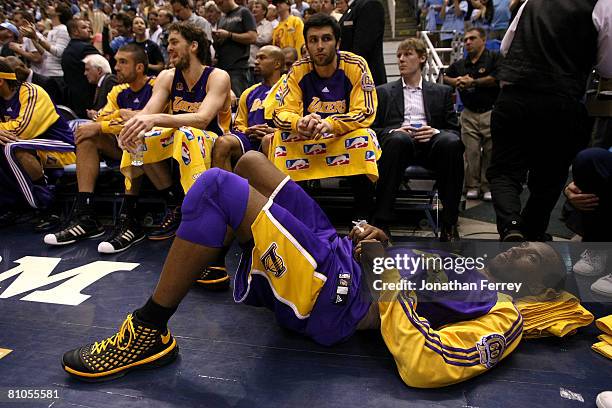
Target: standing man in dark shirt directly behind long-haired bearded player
235	33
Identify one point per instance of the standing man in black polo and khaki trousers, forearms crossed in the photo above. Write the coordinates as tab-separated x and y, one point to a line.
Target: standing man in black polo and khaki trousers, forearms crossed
474	77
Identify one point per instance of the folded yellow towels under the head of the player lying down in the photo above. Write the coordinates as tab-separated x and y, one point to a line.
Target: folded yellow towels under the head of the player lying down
552	314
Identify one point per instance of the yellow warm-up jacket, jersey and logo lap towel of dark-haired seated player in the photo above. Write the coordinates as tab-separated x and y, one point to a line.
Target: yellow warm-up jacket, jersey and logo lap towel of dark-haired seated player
347	101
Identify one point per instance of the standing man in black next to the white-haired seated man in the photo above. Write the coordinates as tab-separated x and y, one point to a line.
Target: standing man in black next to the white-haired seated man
79	94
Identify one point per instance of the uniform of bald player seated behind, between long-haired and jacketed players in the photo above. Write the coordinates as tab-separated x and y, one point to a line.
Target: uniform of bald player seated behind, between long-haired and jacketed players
251	112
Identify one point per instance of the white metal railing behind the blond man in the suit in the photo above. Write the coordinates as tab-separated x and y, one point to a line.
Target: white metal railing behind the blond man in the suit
434	65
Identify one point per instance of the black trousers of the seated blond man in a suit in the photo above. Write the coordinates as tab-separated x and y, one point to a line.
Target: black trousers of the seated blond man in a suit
442	154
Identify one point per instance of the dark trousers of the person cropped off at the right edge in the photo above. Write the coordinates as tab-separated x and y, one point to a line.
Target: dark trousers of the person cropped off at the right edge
592	172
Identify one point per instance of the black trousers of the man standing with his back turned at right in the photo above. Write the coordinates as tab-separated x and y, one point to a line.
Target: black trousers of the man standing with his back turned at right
538	135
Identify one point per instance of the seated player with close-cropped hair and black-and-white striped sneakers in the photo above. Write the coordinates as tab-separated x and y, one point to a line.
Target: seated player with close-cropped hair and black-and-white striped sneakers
98	139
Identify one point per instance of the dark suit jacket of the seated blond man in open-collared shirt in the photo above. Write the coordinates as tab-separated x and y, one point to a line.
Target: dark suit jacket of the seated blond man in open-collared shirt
437	100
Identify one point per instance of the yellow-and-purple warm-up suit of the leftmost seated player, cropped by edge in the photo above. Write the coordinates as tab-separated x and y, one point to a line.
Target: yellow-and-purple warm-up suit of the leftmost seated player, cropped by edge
32	117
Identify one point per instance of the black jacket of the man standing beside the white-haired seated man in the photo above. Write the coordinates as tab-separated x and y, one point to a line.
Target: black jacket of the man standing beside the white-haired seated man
79	93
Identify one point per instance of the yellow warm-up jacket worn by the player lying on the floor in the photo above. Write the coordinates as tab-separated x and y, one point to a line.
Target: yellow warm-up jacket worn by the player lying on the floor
443	335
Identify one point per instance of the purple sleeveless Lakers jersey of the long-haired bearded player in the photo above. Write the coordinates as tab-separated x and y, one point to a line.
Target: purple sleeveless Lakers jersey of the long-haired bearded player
185	100
